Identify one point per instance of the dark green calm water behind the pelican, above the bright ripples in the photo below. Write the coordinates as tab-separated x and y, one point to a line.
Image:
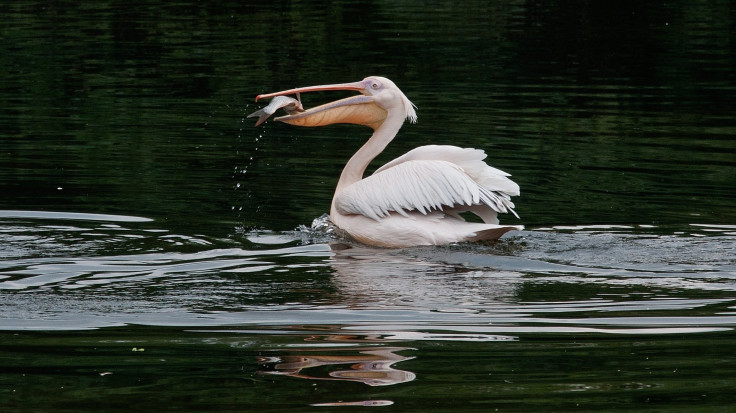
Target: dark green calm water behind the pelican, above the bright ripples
604	112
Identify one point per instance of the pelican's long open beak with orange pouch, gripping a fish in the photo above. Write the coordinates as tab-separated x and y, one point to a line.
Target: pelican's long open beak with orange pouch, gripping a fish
360	110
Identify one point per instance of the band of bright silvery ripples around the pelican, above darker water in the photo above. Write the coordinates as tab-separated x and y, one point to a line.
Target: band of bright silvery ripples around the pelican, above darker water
557	280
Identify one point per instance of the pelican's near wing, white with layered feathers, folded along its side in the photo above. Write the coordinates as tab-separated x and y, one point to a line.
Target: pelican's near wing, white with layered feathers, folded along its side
421	185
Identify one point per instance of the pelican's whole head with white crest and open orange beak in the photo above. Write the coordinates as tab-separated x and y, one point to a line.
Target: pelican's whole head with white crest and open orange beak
380	99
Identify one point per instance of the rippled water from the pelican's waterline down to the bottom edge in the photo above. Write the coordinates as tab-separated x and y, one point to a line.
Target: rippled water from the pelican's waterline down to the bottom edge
599	317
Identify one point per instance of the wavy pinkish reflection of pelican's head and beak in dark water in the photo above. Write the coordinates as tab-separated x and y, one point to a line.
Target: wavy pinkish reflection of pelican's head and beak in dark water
369	365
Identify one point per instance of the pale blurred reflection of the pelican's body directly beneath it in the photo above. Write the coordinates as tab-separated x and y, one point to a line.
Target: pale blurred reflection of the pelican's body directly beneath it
380	278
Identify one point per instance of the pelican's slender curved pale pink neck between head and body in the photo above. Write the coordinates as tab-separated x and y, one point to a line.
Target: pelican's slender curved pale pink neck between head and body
356	166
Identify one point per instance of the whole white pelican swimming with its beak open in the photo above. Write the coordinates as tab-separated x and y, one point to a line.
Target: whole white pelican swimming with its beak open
417	198
